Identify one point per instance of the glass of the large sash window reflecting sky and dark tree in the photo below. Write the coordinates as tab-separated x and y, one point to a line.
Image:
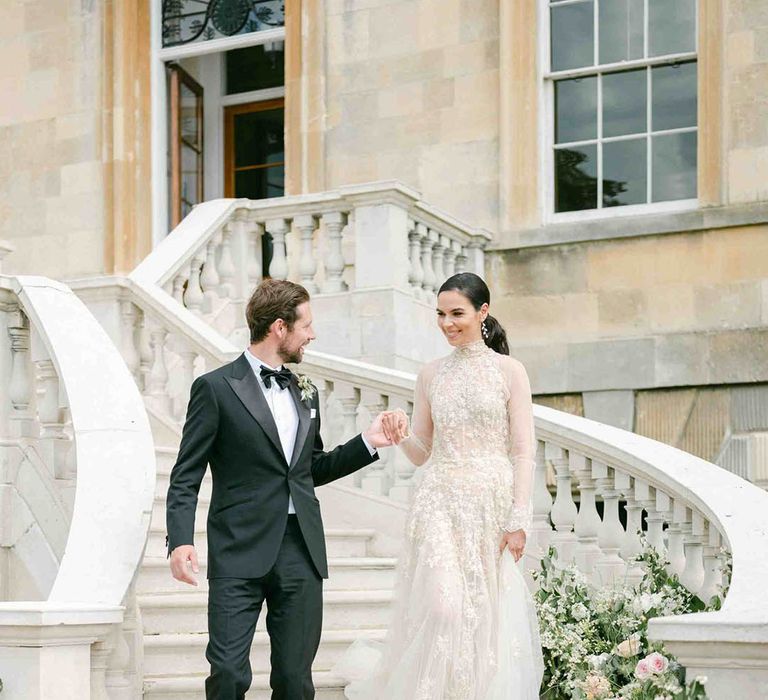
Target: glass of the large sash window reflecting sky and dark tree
623	135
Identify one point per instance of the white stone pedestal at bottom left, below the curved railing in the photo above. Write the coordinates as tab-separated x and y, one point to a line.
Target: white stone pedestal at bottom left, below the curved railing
45	649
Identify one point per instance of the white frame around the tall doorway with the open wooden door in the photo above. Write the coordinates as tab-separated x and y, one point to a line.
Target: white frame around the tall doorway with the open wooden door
159	134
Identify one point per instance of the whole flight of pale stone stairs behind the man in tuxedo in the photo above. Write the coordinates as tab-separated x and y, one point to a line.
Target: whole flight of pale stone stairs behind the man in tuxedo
357	600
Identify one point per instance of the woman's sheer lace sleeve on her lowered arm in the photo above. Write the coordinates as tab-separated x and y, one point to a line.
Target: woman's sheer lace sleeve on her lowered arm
522	445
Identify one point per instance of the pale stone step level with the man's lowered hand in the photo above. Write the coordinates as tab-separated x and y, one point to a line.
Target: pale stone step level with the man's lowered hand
345	573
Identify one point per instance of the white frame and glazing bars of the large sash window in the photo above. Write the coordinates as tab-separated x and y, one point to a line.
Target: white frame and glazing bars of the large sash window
547	79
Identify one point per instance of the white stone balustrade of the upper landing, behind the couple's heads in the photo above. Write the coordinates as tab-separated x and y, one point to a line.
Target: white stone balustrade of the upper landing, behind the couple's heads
361	251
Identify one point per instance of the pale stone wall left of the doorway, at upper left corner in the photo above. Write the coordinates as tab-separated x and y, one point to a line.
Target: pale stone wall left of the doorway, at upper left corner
51	198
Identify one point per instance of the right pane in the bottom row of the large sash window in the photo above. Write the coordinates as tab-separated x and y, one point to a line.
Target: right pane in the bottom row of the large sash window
674	166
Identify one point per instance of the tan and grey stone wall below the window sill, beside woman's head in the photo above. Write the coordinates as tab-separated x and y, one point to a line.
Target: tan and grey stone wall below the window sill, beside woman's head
648	312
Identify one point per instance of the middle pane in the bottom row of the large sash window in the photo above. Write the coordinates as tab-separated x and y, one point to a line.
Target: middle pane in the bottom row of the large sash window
624	176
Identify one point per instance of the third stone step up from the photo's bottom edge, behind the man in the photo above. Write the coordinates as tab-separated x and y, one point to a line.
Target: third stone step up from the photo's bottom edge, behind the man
186	612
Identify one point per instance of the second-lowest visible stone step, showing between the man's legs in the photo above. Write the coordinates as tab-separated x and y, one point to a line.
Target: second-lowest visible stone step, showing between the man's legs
184	654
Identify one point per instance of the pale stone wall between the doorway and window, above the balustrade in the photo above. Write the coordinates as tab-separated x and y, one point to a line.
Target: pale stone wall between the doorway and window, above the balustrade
412	94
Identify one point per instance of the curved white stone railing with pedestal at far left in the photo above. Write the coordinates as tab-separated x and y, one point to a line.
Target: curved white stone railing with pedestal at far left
72	406
